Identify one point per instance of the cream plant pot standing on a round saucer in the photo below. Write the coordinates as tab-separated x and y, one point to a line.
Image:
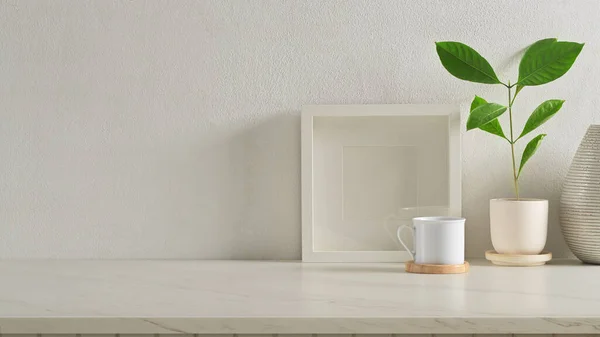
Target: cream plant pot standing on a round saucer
519	226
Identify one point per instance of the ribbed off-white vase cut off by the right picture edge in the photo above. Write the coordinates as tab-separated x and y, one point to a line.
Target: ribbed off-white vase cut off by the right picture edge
580	200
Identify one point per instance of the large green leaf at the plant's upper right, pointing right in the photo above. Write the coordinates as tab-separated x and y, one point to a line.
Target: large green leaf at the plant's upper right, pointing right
546	60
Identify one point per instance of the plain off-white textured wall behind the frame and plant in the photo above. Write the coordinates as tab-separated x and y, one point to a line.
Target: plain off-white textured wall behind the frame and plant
170	129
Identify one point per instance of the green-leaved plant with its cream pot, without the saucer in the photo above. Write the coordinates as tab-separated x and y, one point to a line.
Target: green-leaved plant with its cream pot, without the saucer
517	225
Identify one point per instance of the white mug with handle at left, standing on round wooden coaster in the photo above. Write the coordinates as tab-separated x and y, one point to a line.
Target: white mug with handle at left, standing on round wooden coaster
437	240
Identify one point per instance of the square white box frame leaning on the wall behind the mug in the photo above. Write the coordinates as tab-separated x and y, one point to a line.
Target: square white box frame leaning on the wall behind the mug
326	131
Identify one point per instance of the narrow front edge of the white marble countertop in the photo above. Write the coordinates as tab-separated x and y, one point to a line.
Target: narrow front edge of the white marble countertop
298	325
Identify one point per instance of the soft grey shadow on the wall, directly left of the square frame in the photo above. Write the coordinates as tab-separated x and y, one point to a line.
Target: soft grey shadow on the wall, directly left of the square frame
259	189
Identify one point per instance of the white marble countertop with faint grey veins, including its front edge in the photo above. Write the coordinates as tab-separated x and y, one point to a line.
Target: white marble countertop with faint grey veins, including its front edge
292	297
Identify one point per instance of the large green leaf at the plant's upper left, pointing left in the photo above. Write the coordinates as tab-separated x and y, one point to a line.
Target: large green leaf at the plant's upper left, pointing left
465	63
